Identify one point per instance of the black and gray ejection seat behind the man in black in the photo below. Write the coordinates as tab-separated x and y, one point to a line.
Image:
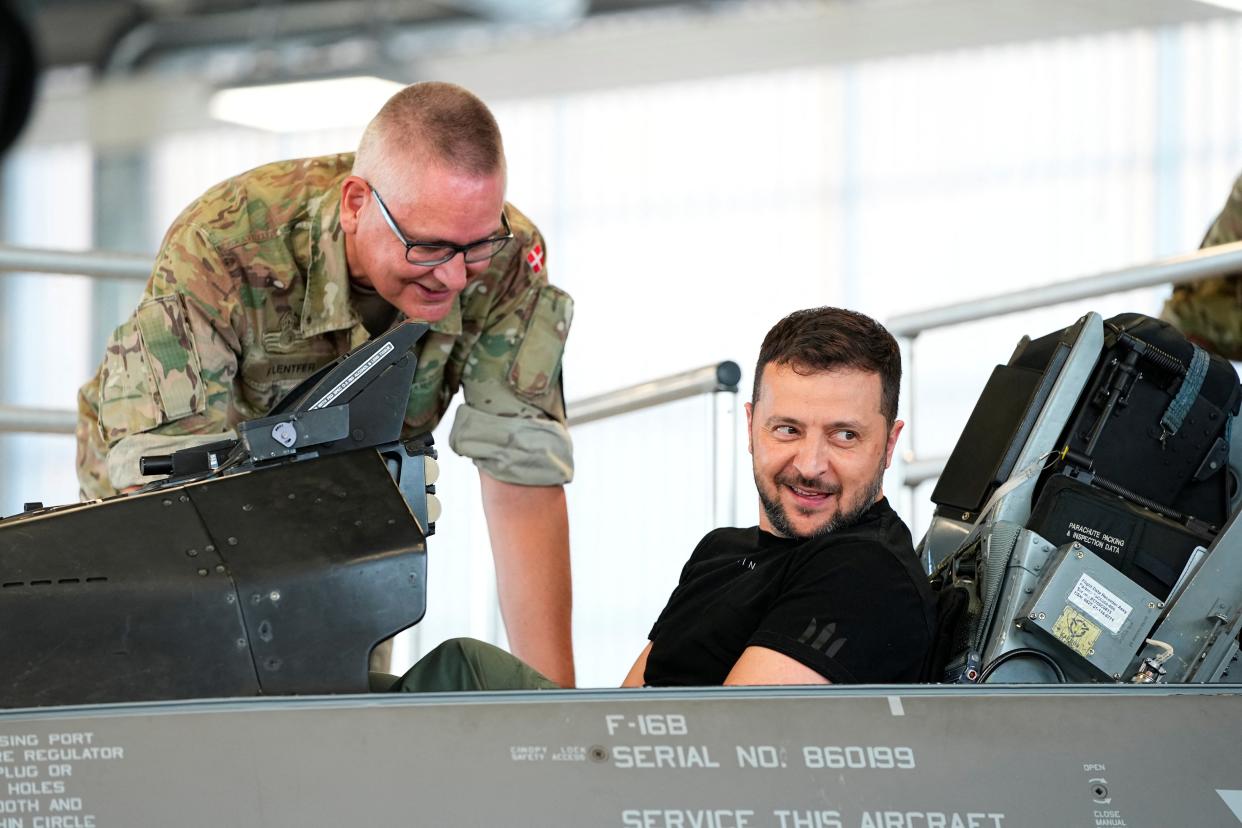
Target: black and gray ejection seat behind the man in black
1094	477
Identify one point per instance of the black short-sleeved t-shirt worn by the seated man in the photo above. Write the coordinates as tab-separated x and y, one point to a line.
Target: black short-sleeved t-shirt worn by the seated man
853	605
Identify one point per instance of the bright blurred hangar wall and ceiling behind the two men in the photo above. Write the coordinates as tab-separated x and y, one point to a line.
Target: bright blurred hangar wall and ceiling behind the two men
700	169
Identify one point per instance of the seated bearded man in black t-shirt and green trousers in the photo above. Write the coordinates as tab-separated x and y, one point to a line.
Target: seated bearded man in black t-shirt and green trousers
827	589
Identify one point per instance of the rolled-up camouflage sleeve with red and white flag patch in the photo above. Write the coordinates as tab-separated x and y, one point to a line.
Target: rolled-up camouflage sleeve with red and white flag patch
514	423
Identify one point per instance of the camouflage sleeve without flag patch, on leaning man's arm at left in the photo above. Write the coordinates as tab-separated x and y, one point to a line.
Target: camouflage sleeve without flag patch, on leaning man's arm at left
167	378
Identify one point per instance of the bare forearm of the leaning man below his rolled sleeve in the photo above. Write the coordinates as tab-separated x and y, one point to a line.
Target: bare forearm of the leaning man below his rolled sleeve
530	531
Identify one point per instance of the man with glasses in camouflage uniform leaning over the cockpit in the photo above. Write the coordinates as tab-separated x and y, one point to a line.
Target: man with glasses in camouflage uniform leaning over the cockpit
274	274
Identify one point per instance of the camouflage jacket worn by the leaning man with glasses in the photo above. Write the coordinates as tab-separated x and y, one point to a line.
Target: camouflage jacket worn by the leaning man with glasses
250	295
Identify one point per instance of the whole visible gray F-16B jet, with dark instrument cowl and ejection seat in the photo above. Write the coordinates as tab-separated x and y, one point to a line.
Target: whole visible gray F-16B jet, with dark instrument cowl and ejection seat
212	632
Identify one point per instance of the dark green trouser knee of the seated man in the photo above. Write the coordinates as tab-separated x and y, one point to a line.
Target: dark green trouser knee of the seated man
464	665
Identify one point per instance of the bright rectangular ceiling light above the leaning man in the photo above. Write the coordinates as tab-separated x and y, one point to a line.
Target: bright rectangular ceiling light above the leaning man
301	106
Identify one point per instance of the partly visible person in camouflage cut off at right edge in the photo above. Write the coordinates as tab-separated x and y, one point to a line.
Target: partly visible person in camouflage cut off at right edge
1210	312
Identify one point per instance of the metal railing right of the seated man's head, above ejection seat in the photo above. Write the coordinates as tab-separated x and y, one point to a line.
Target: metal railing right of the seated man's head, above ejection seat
1208	264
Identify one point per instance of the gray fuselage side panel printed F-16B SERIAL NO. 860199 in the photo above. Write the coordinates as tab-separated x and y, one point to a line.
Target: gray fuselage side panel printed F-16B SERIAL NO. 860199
832	758
